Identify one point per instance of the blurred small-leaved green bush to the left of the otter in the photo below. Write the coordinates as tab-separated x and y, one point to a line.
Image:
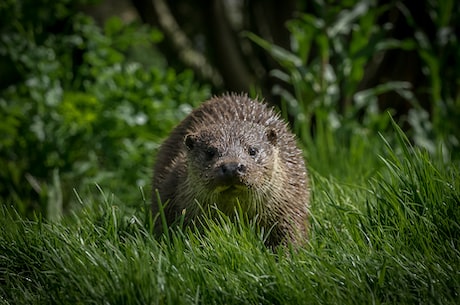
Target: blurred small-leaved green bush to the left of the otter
82	108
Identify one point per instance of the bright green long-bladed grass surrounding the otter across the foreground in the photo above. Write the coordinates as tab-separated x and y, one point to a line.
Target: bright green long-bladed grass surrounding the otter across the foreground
391	237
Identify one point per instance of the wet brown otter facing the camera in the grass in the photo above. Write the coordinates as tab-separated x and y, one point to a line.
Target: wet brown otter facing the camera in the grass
233	152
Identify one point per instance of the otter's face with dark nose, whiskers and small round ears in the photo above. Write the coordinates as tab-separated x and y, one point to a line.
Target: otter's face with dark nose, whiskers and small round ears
231	159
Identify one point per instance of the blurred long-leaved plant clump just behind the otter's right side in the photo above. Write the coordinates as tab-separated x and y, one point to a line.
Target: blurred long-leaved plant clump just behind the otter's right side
322	79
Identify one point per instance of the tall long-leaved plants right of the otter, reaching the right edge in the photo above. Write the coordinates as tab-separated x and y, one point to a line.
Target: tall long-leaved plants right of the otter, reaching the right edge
329	55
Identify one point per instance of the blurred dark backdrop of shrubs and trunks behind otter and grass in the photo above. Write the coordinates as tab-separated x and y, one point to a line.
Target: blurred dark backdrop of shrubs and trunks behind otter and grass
89	89
